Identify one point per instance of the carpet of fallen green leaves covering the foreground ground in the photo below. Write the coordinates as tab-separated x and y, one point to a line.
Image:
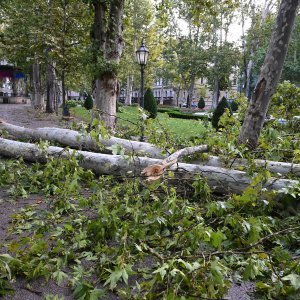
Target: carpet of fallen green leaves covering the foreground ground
169	239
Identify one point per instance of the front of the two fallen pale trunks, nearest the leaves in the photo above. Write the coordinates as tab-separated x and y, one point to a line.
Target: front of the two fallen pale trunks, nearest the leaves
219	179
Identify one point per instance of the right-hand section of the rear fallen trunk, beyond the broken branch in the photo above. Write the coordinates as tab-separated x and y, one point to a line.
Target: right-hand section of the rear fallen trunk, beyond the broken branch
273	166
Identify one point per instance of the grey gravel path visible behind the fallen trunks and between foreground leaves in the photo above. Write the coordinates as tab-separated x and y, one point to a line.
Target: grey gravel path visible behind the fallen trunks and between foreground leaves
23	115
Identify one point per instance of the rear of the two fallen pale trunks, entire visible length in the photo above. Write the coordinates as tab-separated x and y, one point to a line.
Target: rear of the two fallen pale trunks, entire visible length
78	140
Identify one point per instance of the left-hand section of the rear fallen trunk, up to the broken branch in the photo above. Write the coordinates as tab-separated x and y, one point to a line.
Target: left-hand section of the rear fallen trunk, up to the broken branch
77	140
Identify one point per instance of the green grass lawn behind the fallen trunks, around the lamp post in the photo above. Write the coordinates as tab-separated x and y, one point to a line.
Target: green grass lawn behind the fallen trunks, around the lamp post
129	117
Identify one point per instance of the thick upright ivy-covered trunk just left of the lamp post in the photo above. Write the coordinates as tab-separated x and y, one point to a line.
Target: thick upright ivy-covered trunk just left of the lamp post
107	47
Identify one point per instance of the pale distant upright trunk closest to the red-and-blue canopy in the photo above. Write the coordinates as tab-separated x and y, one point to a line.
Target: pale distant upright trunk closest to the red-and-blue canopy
37	97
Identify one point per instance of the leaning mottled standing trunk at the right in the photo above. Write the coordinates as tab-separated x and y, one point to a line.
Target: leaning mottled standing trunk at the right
270	74
